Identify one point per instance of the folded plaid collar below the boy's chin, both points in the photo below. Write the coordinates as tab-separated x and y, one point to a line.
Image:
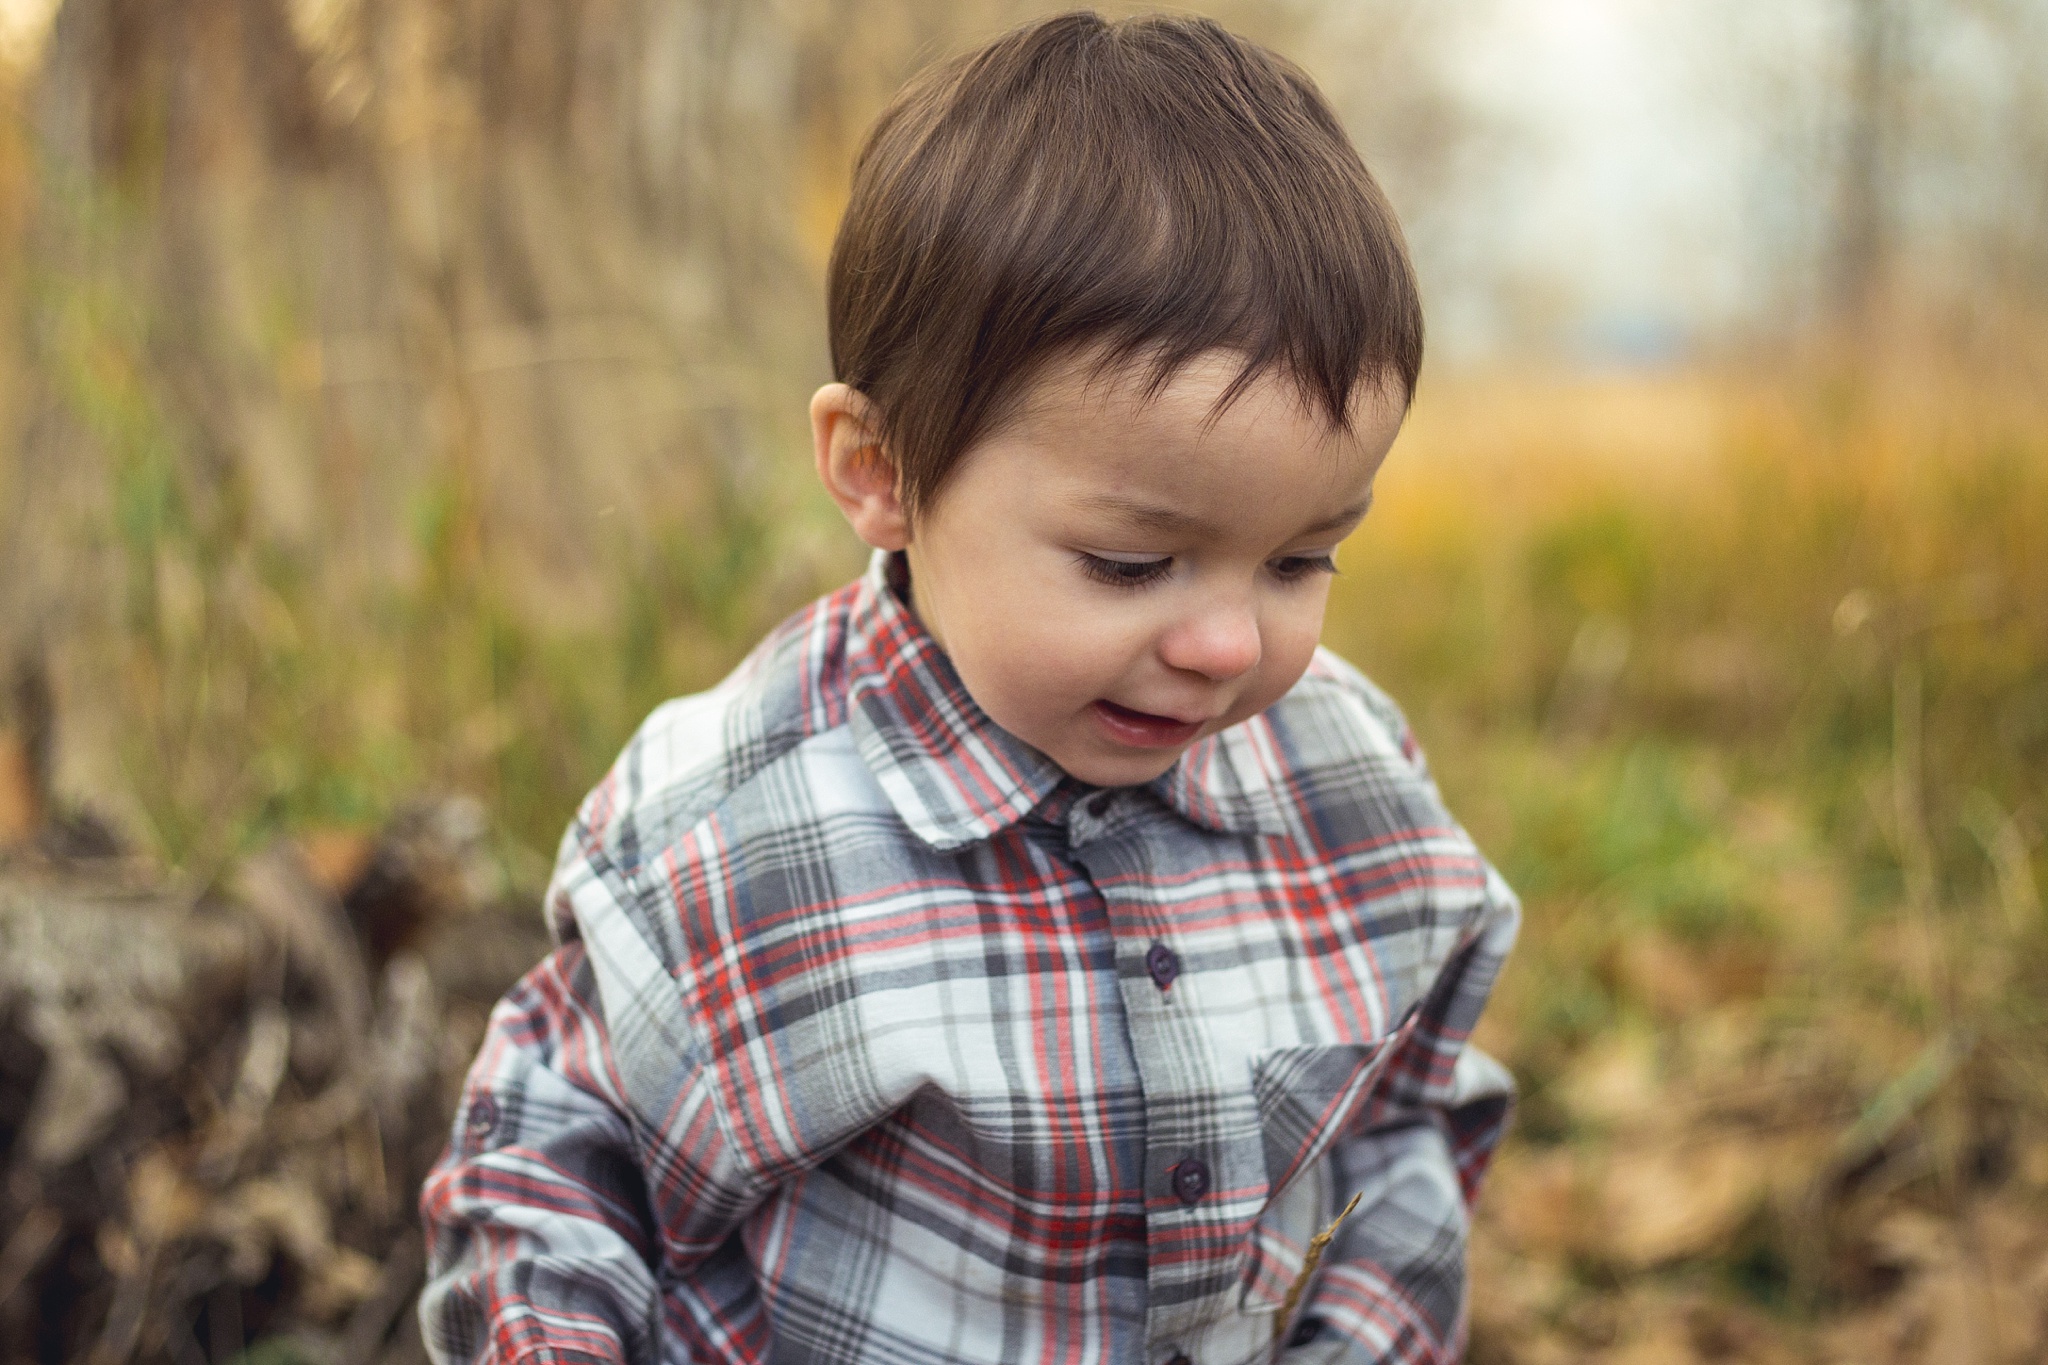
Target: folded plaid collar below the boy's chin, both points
955	777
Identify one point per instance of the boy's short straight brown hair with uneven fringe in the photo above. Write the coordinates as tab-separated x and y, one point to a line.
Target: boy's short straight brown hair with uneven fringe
1156	187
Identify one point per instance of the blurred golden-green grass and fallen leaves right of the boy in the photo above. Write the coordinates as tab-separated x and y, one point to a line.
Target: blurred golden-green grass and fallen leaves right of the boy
1746	687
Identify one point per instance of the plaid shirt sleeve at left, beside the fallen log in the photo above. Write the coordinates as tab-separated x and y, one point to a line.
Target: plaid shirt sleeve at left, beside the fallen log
542	1229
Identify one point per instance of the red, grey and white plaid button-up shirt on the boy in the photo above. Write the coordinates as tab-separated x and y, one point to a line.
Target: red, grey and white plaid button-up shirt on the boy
873	1037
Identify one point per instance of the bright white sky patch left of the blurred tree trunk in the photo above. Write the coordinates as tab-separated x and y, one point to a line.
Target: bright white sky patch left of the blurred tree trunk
1621	187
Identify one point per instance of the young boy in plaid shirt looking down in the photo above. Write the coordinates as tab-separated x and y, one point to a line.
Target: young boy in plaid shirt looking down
1037	942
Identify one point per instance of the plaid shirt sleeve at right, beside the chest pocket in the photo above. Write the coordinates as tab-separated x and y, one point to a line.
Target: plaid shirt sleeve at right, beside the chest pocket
1394	1288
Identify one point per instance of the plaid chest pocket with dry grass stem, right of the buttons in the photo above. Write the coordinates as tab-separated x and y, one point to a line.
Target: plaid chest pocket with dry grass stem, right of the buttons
1308	1100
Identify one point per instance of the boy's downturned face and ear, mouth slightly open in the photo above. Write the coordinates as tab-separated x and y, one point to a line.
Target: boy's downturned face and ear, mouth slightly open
1117	576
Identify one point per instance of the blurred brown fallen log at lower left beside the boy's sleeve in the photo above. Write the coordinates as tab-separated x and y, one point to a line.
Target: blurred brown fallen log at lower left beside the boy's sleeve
218	1104
